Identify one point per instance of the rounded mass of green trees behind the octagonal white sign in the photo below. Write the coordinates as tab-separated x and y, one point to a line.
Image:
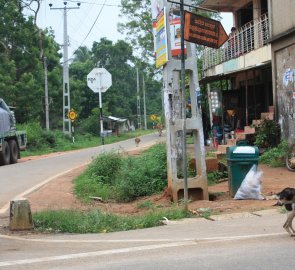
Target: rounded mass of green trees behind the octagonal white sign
121	99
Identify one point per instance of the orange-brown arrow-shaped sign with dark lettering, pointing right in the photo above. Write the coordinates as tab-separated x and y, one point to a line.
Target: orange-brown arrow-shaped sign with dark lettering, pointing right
204	31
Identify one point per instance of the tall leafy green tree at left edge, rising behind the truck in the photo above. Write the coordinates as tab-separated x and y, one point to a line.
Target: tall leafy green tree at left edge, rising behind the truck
22	71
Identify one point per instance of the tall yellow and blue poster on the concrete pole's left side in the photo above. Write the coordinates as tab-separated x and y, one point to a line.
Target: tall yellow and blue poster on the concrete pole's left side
161	40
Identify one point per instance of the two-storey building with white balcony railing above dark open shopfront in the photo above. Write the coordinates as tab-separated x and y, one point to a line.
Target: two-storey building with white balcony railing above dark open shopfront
238	76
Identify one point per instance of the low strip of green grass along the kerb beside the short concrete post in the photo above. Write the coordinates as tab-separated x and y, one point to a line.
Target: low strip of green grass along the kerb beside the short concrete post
70	221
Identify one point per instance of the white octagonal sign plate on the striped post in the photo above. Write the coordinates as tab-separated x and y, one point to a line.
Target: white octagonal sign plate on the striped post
99	79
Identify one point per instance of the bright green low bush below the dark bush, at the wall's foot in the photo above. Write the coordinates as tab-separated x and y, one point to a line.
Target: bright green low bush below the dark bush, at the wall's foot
274	157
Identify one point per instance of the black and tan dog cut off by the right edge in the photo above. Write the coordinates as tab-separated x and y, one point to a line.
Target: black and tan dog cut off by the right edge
287	198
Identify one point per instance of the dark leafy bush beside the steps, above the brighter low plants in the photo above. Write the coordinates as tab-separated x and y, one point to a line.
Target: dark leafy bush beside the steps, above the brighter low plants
268	134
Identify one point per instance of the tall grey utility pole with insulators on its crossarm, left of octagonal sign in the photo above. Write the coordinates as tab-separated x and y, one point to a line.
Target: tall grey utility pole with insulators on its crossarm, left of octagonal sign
67	128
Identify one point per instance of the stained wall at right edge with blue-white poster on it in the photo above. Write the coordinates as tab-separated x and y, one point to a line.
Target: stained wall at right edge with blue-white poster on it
282	41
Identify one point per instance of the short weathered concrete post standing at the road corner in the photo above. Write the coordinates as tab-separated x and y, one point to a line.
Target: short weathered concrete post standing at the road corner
20	215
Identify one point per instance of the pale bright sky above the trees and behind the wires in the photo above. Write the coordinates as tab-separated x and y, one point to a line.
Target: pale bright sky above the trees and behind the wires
80	21
